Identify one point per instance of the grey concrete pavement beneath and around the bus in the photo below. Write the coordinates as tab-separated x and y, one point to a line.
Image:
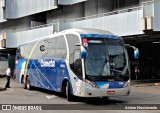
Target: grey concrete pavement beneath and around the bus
145	94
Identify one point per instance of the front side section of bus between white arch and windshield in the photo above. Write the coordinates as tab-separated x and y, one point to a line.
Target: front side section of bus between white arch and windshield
75	62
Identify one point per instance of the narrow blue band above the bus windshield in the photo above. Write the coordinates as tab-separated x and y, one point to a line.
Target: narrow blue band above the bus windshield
99	36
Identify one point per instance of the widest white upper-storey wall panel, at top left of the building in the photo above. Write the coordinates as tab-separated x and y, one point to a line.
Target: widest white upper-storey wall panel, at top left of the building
21	8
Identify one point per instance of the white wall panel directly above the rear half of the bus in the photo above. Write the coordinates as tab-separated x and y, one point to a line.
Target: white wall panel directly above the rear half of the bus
18	38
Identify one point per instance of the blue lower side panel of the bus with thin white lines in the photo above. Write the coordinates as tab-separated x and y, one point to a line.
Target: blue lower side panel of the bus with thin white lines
45	75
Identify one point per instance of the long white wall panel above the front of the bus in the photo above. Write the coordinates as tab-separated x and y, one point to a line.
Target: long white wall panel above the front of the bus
122	24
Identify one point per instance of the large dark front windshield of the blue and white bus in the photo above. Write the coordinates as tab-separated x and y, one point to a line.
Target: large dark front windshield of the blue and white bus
105	57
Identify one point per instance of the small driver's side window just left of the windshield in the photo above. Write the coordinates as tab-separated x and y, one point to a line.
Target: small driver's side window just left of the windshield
77	63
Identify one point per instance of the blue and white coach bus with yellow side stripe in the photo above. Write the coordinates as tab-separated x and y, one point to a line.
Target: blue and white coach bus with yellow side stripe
79	62
